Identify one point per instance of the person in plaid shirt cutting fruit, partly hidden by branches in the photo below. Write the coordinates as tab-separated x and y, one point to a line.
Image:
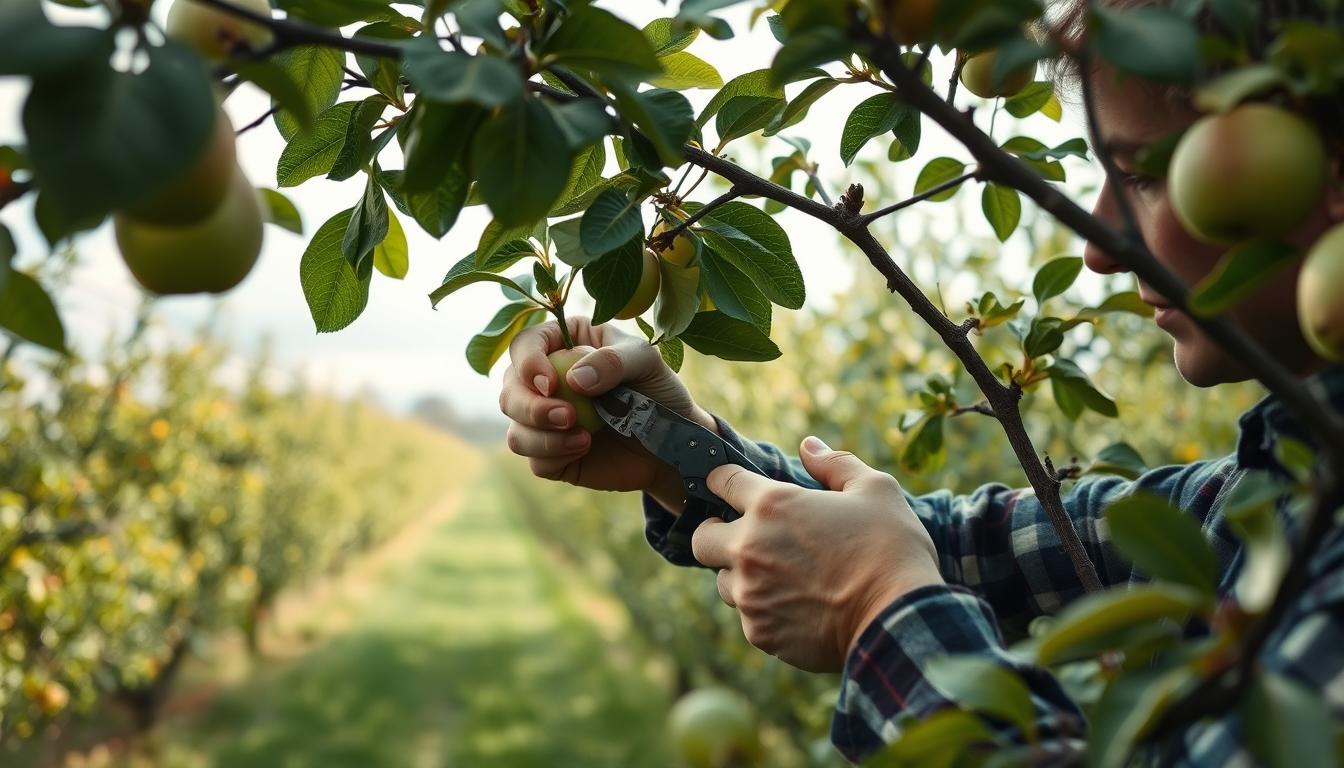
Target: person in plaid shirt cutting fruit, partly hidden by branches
835	568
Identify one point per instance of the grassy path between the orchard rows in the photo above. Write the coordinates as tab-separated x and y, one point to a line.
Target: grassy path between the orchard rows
474	653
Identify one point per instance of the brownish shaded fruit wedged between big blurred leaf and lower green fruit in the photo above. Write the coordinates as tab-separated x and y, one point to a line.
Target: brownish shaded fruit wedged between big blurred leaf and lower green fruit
201	189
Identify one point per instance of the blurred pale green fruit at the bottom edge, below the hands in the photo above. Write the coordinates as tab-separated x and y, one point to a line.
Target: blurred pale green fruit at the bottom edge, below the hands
714	728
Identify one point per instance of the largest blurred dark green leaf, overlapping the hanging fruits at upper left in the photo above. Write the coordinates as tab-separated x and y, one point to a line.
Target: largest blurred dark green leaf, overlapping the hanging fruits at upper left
103	141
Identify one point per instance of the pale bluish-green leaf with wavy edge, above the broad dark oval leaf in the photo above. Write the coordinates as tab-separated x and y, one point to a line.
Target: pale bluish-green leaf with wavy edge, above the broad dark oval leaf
452	77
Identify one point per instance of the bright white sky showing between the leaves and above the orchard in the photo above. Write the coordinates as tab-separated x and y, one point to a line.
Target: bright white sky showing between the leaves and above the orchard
400	346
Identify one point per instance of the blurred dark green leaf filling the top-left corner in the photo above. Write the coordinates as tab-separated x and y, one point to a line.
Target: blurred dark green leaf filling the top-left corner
33	46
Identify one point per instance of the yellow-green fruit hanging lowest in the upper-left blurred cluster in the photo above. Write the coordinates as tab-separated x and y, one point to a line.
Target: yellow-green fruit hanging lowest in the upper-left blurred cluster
208	258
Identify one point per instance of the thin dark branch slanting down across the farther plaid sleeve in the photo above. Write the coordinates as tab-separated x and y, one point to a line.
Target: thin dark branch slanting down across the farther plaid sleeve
1002	399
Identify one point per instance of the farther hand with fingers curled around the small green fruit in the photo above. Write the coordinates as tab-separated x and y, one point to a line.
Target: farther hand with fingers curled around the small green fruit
544	427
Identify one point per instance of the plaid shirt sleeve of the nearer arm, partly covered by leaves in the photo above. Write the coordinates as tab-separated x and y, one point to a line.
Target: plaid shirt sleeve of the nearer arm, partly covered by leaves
886	685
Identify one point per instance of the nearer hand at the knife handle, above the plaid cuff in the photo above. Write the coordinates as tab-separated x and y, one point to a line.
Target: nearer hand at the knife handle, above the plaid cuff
808	571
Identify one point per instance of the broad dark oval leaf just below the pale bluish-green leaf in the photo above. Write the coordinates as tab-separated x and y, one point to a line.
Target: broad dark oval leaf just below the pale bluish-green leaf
522	162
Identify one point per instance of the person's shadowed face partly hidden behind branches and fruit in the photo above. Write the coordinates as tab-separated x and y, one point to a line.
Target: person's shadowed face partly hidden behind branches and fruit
1131	118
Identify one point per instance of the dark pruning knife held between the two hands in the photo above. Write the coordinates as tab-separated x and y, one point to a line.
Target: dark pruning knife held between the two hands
690	449
